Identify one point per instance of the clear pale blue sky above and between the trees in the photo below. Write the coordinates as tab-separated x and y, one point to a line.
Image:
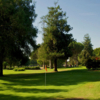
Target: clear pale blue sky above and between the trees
83	16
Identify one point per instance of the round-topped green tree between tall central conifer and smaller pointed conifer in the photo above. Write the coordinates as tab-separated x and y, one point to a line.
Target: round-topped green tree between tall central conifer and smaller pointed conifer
77	47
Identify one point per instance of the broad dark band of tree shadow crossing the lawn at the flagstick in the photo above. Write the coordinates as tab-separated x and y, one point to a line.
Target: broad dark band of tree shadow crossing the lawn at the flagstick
61	78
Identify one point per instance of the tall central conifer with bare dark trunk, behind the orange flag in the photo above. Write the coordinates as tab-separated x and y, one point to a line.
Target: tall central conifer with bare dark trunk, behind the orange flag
55	37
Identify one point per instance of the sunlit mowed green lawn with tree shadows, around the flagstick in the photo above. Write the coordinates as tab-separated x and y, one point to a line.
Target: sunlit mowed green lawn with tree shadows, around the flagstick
66	84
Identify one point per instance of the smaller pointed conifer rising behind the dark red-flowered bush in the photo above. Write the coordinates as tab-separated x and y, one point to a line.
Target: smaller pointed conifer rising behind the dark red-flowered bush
87	51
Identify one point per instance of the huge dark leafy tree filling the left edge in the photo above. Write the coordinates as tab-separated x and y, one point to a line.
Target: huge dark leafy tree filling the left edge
16	28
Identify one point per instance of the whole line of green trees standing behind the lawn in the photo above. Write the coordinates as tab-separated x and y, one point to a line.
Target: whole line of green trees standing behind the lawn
17	37
